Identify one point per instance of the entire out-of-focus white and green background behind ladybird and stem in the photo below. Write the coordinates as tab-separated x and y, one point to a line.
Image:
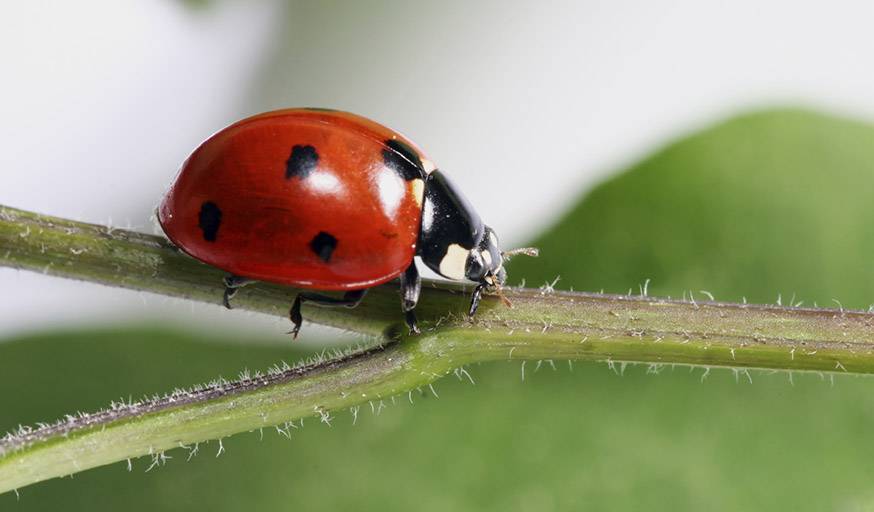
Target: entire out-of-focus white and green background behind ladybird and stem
711	147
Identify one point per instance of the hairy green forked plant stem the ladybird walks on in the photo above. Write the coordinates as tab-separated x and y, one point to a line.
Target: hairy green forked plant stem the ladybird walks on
542	325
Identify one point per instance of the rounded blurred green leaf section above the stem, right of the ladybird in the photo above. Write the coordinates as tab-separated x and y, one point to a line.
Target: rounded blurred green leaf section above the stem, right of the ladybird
775	203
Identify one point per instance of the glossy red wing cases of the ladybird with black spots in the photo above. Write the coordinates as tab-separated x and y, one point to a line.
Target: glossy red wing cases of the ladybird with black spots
266	225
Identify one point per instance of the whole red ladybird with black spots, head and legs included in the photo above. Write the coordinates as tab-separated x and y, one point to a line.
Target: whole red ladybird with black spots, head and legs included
326	200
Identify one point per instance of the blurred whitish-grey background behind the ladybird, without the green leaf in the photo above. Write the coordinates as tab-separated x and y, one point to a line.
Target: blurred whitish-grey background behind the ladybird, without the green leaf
525	104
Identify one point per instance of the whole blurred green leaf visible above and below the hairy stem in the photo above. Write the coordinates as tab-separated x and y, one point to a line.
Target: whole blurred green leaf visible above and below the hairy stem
767	203
